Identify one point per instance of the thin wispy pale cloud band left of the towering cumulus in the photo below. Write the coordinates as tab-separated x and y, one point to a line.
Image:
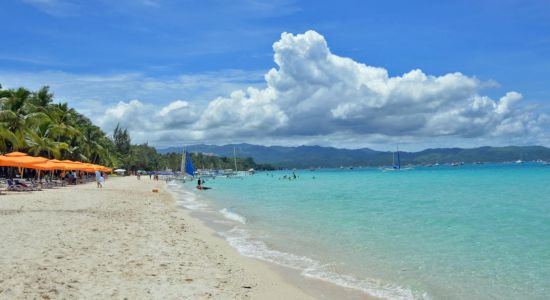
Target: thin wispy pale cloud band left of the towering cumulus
106	89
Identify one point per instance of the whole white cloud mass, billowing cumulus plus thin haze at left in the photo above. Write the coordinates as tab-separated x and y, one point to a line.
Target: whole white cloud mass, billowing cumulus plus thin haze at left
313	97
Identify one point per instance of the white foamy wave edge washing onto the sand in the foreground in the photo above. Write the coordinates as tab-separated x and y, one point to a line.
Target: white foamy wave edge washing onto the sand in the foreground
248	246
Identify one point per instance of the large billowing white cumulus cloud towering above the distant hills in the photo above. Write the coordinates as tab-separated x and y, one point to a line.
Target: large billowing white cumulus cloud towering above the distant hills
313	92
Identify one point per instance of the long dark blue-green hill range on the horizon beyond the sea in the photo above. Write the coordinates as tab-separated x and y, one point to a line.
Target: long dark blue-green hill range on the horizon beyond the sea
317	156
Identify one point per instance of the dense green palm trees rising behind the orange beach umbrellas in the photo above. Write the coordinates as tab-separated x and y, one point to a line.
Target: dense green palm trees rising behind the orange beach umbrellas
30	122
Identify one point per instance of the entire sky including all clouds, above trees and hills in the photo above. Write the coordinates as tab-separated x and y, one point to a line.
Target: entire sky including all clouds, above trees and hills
353	74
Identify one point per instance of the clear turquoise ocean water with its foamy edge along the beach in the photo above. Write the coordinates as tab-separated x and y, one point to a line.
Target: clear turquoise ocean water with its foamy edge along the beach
468	232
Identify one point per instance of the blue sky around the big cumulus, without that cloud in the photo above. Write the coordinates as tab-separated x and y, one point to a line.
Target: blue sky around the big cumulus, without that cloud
227	45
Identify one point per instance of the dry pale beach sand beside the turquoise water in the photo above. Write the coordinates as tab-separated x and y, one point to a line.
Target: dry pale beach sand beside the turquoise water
122	241
